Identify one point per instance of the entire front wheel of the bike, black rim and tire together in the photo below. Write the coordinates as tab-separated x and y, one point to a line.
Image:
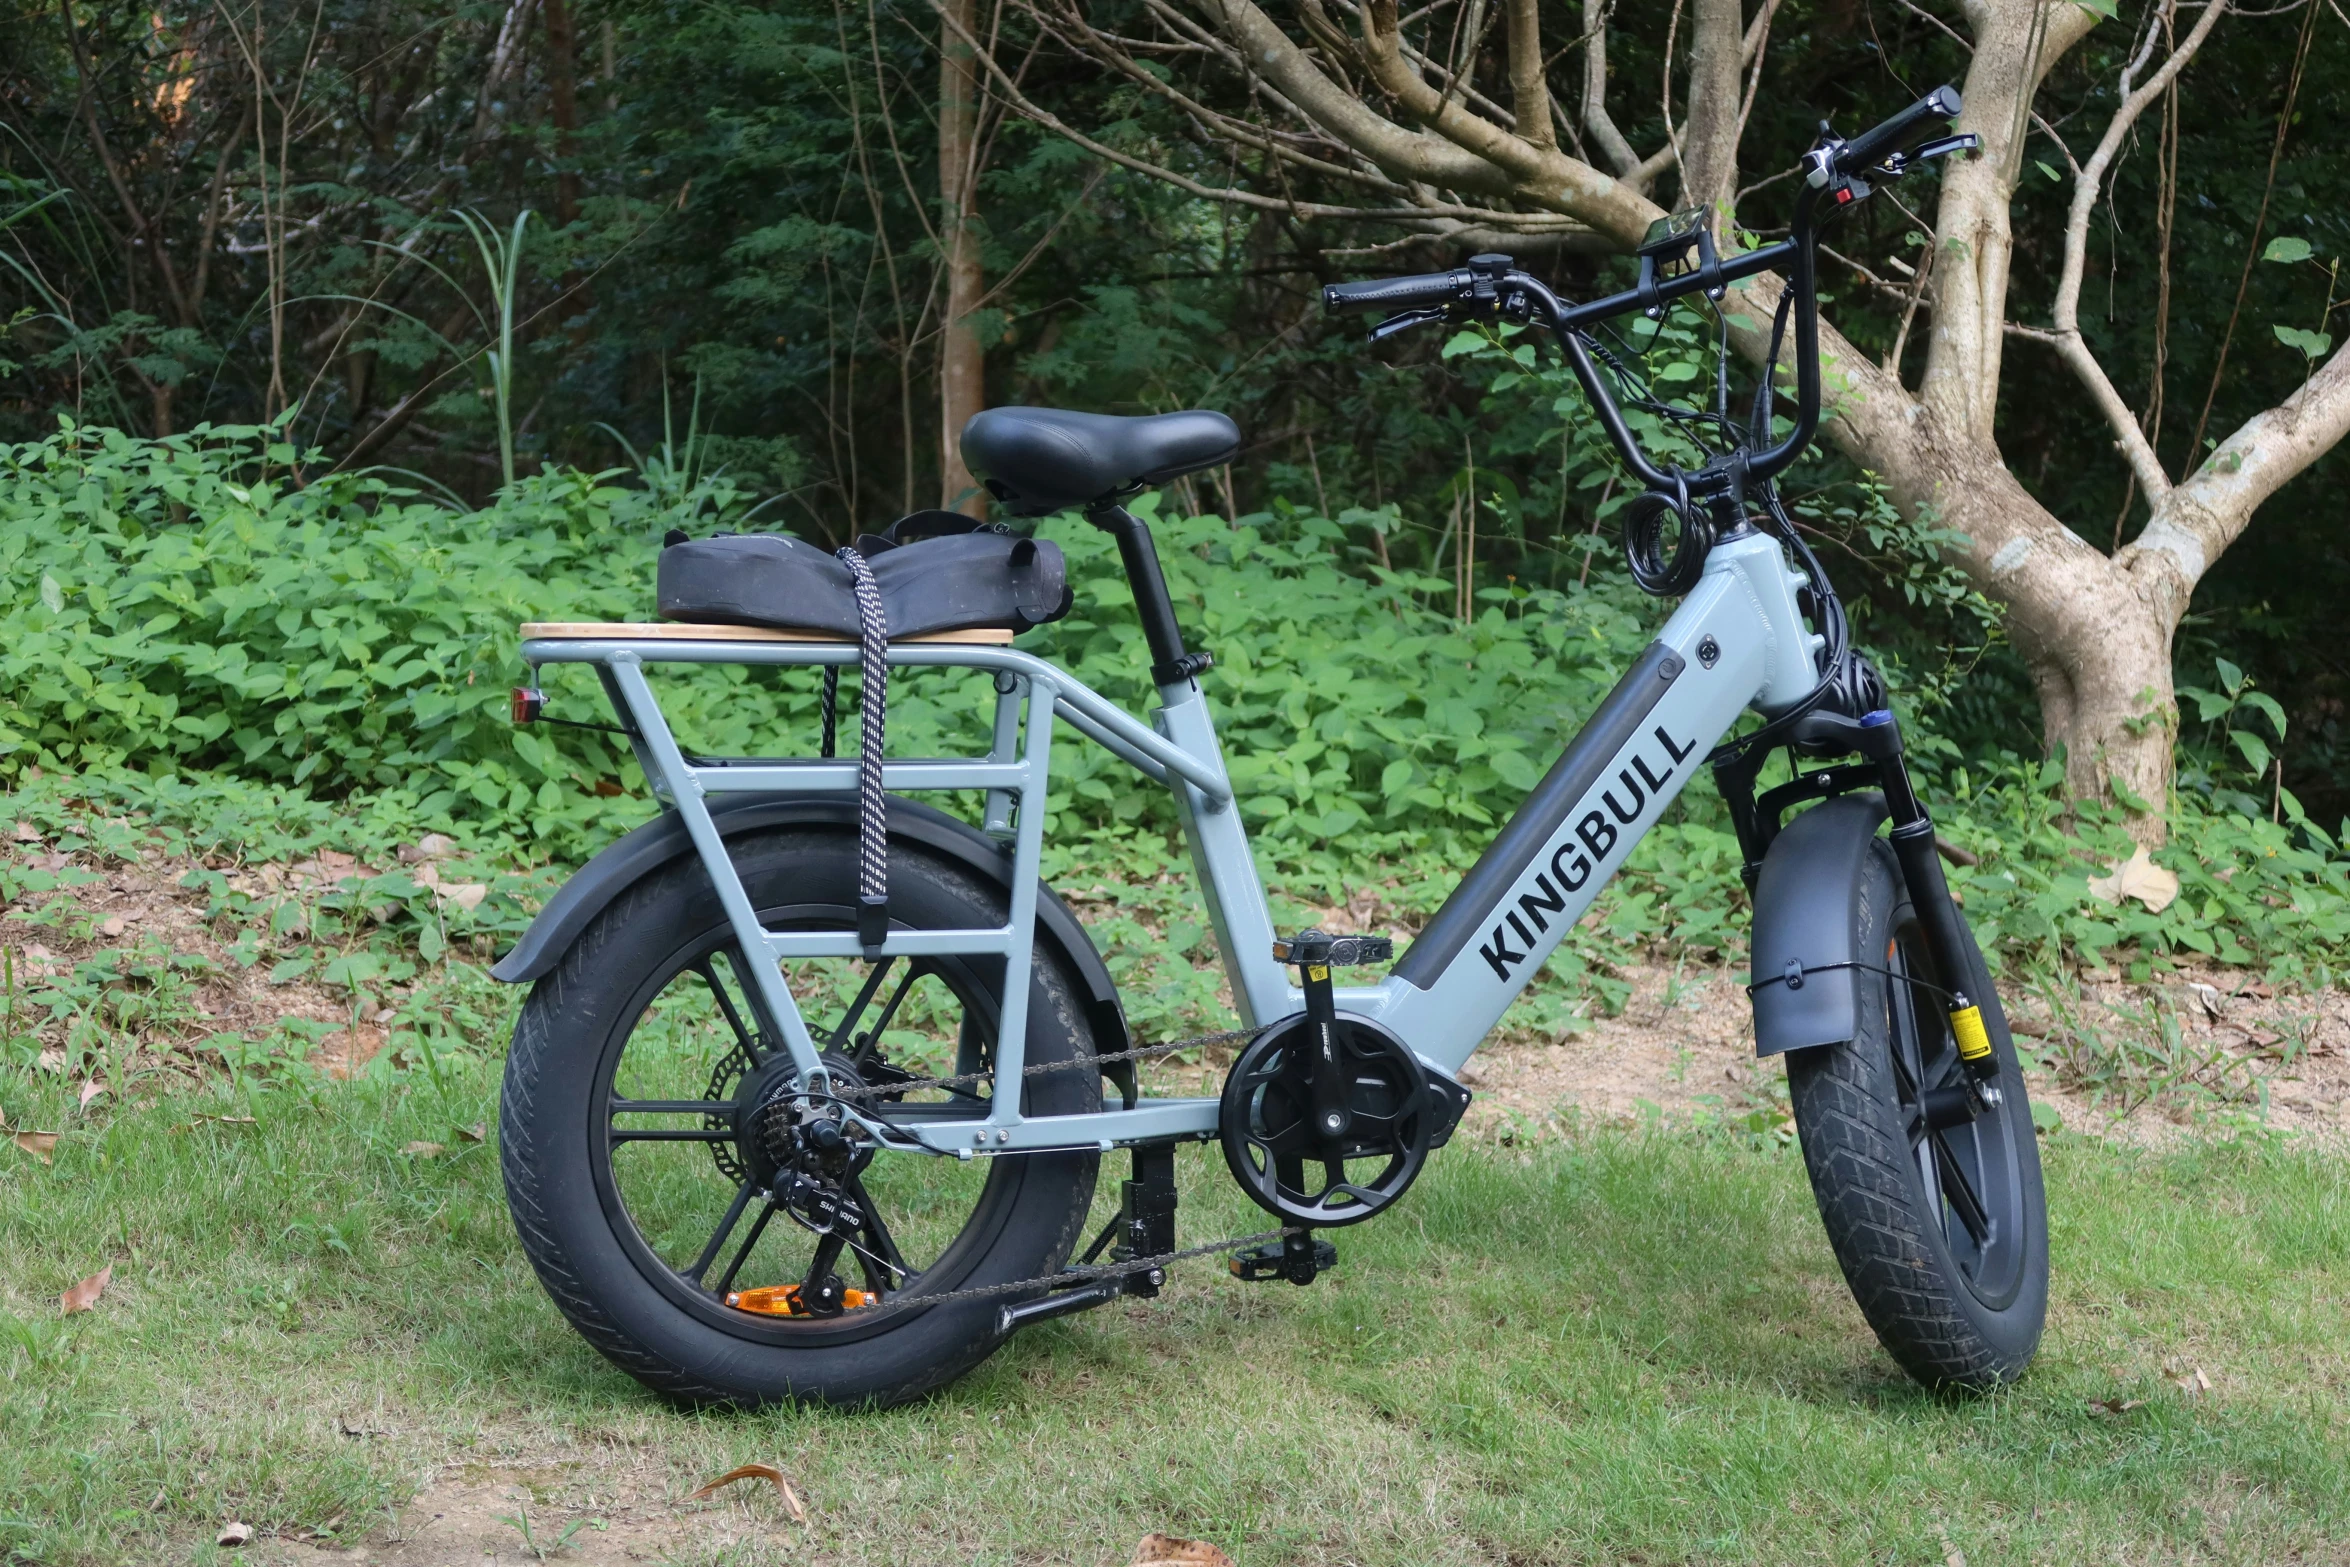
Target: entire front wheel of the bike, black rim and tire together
1938	1218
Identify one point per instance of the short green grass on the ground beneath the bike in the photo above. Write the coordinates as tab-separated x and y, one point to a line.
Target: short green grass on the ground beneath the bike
1604	1347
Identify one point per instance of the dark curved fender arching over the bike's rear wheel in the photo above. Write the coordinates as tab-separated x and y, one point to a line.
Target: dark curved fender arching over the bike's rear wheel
647	849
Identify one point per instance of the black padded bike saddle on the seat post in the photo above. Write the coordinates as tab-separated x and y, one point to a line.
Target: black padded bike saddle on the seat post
1052	459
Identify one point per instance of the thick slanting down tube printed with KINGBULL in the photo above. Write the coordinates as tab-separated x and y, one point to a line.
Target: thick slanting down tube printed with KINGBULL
1446	1014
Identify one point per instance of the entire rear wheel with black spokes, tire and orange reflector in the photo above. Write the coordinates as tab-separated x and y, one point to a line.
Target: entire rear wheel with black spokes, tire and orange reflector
711	1230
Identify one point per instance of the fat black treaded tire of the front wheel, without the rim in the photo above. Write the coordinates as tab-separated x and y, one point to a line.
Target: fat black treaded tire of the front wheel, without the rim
1874	1199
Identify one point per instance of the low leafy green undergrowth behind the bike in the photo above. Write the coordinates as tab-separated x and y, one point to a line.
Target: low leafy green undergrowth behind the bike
206	659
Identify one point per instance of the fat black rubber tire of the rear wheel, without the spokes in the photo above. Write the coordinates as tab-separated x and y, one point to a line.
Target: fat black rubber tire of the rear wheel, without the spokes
605	1282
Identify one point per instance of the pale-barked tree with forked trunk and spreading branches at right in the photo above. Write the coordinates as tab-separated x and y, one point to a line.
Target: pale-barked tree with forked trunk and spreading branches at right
2097	631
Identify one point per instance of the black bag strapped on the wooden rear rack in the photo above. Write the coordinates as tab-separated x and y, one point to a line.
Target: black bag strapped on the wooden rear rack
939	584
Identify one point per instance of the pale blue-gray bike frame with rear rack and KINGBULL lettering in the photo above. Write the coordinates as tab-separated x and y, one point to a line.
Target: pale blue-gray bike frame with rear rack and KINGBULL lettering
1735	643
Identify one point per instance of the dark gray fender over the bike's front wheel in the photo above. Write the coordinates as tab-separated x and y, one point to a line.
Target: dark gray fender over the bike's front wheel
1808	917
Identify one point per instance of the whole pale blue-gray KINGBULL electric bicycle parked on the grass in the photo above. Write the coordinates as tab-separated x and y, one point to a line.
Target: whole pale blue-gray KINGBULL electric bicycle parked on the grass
814	1080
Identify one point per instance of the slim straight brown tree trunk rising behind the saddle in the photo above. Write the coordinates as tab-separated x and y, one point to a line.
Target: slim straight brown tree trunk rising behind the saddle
962	365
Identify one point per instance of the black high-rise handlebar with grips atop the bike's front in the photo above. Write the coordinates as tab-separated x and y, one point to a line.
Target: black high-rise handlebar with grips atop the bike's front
1493	283
